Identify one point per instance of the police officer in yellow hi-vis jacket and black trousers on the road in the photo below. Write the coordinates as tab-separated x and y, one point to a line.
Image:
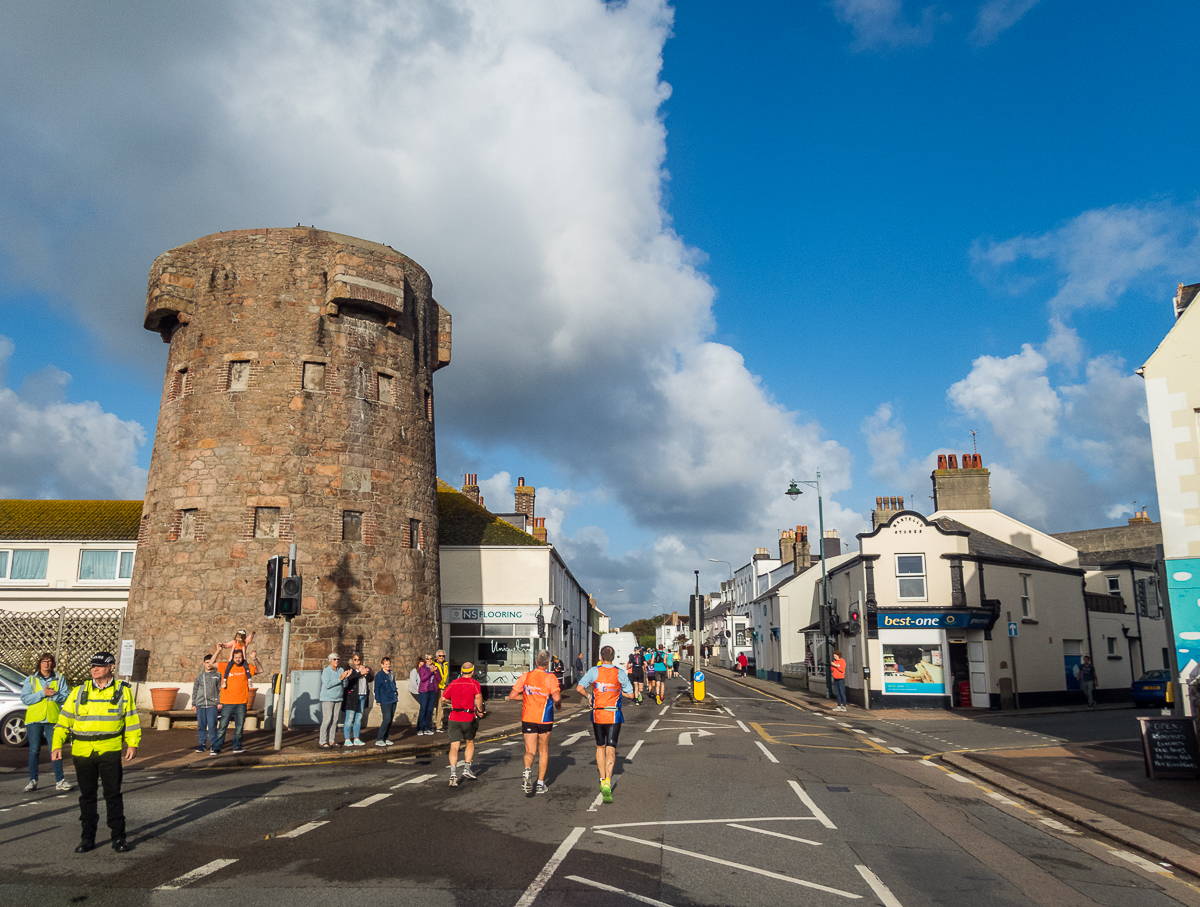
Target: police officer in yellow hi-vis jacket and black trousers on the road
99	717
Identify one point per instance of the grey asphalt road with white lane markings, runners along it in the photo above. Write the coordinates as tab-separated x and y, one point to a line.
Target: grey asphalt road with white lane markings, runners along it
753	803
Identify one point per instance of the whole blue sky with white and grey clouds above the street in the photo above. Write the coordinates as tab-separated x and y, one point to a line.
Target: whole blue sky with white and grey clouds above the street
692	253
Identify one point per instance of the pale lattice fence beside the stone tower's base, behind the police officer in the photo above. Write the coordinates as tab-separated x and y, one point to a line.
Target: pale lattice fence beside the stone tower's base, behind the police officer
74	635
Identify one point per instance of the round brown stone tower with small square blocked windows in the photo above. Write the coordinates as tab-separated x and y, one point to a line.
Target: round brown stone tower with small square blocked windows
298	409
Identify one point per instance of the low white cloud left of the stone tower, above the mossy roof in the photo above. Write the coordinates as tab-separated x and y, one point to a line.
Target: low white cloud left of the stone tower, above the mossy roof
53	449
